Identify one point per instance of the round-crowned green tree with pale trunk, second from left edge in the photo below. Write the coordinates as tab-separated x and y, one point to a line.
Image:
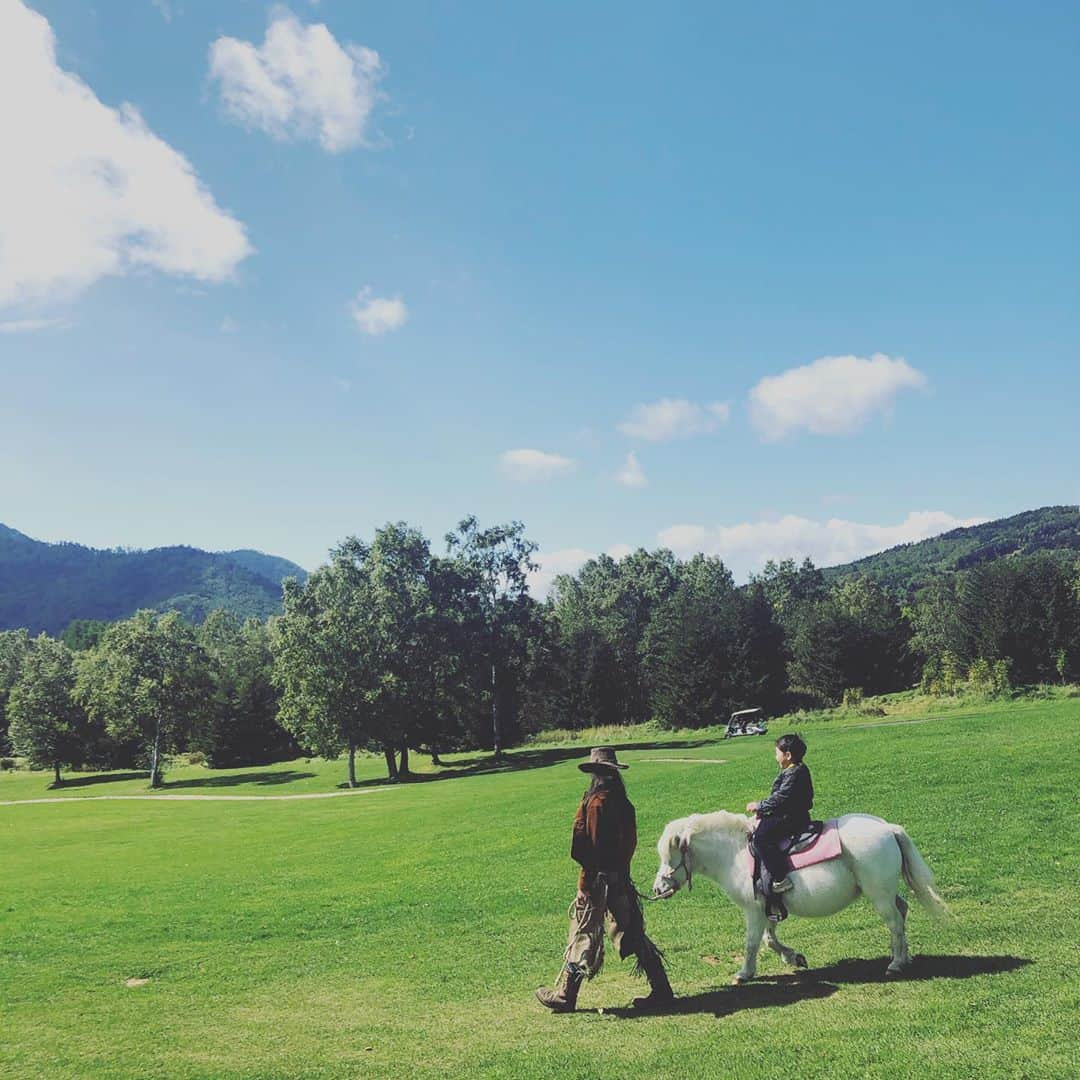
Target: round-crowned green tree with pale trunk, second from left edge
148	679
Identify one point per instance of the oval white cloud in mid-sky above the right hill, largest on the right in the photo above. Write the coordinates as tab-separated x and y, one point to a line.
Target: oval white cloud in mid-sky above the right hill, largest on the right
834	396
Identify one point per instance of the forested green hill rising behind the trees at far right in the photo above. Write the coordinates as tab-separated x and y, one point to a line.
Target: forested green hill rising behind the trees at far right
910	566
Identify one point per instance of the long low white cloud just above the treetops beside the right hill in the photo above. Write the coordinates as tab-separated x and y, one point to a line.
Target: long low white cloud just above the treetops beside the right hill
747	547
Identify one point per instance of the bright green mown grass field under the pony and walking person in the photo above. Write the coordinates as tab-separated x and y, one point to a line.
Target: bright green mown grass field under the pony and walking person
401	931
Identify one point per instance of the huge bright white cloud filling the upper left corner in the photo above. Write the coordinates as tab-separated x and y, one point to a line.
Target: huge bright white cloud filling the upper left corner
88	191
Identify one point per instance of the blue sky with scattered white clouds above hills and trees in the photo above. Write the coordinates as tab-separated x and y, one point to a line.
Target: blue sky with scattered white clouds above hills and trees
815	268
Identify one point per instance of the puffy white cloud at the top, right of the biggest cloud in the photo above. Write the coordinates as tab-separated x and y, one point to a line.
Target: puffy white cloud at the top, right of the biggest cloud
300	84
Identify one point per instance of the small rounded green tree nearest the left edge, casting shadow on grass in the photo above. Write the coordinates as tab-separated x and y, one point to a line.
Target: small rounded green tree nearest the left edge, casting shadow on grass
48	727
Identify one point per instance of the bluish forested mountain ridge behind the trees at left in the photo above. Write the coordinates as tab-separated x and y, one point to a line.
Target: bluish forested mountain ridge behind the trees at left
44	587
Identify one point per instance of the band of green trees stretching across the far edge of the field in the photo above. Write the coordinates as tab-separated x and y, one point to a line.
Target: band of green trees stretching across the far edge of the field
393	649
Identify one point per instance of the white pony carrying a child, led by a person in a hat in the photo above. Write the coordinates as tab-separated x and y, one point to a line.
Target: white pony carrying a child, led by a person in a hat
874	854
